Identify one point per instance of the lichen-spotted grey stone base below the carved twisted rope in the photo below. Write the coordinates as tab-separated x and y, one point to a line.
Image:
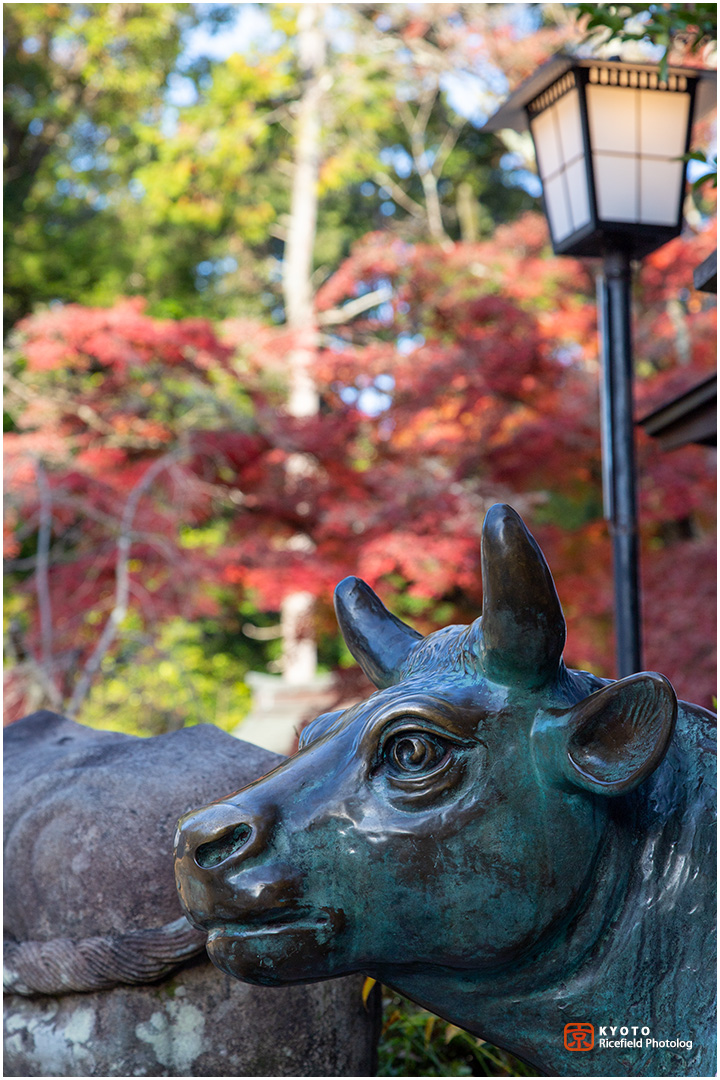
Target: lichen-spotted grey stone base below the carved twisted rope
199	1023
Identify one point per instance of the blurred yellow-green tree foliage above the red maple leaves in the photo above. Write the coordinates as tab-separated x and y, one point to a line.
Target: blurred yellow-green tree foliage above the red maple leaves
112	191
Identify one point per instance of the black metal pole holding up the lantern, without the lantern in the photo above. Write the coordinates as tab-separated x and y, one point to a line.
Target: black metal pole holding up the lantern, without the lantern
619	455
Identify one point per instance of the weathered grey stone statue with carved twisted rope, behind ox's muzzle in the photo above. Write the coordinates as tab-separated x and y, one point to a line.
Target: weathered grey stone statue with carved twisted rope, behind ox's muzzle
103	974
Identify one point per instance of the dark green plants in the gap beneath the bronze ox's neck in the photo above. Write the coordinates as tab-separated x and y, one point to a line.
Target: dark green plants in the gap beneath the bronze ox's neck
416	1044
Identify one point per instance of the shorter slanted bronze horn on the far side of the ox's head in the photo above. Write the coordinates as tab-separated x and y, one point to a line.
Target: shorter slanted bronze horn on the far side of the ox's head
378	641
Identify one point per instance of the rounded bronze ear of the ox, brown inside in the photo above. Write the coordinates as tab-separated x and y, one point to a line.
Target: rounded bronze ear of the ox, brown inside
618	736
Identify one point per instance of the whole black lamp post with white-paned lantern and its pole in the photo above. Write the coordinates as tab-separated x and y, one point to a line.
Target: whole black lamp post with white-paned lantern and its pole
609	140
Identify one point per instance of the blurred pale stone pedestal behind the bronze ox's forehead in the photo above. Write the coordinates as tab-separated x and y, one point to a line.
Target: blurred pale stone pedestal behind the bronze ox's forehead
280	709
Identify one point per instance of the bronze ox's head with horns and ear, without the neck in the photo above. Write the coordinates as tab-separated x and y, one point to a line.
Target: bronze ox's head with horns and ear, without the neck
453	819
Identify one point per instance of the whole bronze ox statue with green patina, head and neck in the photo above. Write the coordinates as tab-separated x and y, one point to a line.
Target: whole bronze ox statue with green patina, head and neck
525	849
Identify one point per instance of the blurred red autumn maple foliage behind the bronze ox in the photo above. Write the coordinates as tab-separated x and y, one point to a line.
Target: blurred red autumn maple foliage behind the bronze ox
478	383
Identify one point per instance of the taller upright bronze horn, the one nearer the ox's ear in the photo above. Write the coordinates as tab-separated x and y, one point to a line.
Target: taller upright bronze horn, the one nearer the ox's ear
523	624
